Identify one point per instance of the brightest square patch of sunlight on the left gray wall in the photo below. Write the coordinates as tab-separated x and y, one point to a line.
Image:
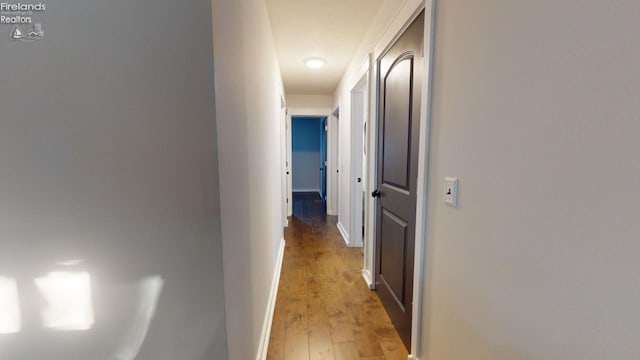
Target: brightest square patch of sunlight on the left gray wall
68	300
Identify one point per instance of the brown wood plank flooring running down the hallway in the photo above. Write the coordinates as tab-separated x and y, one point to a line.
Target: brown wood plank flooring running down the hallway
324	309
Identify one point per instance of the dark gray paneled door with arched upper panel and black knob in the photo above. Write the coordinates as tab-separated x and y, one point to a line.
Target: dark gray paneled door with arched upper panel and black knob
399	94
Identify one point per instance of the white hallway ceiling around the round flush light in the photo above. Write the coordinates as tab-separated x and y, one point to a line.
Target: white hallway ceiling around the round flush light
330	29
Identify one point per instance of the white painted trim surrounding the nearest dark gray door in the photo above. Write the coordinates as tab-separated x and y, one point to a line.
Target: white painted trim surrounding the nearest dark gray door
400	22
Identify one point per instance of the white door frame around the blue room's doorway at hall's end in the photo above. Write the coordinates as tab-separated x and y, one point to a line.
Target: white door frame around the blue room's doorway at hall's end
315	112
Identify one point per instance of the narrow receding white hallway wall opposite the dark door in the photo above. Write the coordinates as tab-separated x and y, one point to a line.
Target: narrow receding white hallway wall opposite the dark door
248	88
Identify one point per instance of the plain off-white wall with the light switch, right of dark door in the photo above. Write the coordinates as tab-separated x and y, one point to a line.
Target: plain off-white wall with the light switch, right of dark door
535	109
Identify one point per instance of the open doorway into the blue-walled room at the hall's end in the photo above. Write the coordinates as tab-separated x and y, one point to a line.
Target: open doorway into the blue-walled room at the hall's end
309	159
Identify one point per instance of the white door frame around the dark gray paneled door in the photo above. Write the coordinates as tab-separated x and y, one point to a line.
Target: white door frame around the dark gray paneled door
400	22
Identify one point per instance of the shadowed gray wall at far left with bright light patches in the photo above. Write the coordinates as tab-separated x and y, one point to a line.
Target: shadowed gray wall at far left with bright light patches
108	158
